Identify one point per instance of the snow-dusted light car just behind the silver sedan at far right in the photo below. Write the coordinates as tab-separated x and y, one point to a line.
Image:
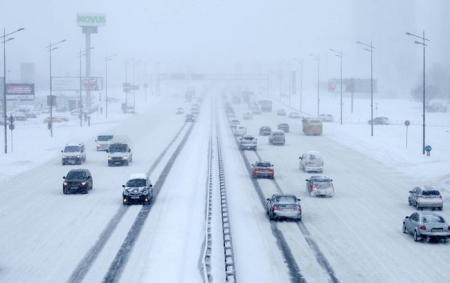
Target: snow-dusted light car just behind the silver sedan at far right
425	197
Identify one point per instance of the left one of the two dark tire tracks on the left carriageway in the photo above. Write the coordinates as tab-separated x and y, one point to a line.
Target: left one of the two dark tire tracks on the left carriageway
86	262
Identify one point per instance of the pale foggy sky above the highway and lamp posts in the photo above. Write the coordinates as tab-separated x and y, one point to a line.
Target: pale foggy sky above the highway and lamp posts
214	36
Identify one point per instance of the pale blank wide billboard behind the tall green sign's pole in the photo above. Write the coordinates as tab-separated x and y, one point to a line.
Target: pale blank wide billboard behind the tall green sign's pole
73	83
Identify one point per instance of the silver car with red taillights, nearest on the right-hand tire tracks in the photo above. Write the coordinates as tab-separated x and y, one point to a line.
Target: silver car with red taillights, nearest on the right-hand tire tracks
284	206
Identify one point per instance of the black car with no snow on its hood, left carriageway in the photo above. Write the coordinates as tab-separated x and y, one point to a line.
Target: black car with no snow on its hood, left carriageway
77	181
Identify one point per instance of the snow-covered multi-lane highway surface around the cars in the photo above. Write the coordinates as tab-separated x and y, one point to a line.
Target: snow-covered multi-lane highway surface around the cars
355	236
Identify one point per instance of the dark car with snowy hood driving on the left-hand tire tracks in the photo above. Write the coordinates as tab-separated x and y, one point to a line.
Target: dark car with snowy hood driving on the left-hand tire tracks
138	189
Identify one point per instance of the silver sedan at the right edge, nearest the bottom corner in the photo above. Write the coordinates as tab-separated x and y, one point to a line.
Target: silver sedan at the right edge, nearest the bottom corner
426	225
